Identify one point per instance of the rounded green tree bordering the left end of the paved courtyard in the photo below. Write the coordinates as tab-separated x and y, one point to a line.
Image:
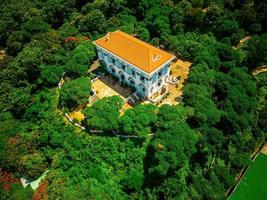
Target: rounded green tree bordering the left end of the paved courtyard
75	93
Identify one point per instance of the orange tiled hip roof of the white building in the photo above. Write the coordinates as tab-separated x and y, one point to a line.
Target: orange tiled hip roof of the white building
133	50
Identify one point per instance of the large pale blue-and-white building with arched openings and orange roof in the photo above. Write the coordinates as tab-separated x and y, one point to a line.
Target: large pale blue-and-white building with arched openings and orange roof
136	63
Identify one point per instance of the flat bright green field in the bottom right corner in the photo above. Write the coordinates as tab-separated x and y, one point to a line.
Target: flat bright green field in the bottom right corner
253	185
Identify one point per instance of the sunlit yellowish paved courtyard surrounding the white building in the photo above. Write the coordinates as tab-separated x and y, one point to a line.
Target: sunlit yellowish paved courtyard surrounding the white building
106	85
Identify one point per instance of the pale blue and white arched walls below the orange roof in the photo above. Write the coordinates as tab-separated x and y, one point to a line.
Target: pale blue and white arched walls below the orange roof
145	83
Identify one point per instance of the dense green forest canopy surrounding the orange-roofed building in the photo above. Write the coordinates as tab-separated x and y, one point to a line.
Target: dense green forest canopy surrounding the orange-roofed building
197	148
